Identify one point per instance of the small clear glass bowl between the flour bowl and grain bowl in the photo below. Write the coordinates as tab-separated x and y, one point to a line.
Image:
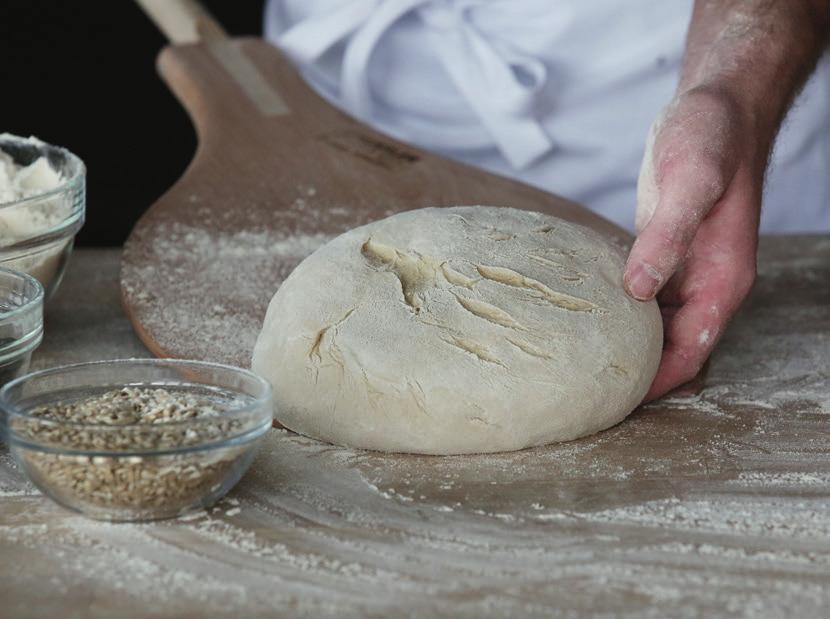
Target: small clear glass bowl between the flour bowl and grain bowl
21	322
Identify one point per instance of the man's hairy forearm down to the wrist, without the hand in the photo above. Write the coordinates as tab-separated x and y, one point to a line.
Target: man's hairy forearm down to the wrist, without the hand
758	52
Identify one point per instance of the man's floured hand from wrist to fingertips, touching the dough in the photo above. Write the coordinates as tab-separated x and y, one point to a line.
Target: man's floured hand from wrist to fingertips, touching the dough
699	200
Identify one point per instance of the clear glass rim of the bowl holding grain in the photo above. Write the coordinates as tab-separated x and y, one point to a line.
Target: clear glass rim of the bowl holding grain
265	400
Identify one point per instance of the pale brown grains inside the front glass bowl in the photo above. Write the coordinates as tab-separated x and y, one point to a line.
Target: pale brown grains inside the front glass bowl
131	485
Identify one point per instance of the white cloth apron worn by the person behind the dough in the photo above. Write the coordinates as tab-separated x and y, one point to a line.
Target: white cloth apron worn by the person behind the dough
557	93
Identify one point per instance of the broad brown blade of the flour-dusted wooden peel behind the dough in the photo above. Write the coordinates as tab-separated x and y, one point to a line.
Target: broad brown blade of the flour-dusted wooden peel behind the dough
262	179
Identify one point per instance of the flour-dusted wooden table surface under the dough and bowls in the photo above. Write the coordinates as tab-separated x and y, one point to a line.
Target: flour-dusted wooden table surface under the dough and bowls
716	505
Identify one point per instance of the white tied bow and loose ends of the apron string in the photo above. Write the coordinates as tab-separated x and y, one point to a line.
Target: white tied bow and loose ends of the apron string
499	82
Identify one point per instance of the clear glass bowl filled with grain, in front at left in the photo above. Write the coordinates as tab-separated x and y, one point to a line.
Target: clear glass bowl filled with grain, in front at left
136	439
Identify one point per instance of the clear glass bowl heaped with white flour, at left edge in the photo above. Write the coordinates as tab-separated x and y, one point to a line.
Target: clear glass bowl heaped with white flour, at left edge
42	205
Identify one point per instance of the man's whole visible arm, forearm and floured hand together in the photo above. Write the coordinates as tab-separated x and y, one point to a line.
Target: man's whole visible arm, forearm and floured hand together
700	186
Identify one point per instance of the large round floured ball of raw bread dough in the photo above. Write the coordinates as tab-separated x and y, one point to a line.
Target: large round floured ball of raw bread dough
458	330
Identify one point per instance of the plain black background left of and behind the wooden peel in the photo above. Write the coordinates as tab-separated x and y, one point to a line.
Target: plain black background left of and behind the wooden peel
81	74
